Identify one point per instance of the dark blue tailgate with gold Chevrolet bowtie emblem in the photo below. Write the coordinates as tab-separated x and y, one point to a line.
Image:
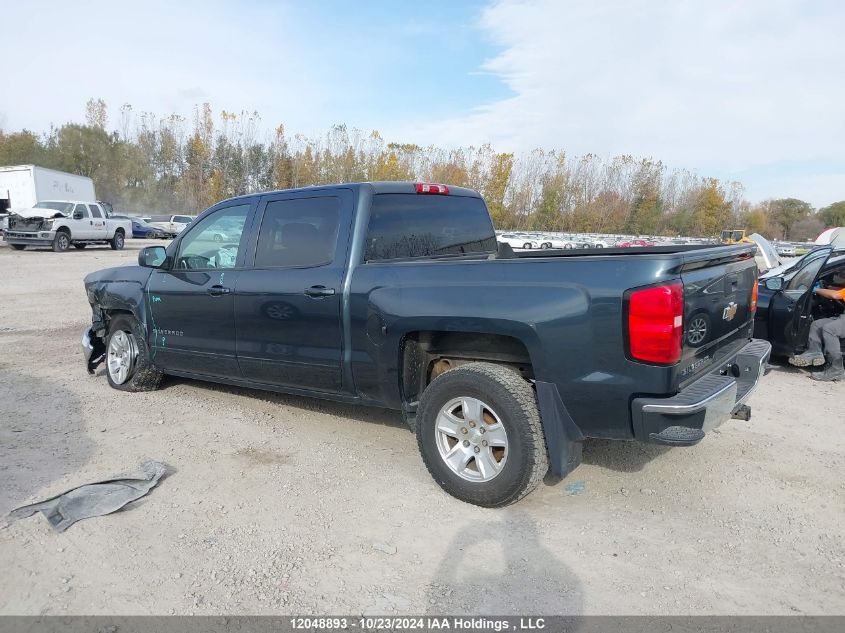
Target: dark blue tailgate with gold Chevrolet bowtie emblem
718	315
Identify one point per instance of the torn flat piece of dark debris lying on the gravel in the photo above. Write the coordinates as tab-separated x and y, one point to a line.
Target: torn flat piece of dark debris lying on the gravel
95	499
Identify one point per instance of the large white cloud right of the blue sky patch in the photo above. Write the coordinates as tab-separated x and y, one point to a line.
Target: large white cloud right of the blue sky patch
722	84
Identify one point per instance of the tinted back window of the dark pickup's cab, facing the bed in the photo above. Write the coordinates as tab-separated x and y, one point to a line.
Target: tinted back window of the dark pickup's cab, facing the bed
412	225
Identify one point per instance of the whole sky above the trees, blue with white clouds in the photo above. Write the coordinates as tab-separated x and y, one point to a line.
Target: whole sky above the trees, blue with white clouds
750	91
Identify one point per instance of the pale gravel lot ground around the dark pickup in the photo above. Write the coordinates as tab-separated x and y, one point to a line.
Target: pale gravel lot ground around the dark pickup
278	504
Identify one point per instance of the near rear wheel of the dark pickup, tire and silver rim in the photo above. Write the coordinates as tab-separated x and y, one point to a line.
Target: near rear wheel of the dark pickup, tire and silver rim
478	430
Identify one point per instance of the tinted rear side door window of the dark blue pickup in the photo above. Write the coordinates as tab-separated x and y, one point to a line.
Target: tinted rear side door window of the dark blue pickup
298	233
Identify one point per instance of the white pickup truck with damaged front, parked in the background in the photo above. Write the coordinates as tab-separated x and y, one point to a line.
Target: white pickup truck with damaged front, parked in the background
62	223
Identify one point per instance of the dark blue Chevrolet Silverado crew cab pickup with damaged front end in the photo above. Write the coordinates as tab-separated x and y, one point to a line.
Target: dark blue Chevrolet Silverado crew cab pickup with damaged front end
398	295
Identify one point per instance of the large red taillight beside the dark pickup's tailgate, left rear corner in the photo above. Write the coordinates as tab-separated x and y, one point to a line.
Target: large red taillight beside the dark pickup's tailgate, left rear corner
656	323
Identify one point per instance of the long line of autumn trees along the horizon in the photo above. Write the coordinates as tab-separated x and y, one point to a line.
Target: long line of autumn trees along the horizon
146	164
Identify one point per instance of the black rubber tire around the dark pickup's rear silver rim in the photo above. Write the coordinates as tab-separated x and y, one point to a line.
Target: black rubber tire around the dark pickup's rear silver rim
513	399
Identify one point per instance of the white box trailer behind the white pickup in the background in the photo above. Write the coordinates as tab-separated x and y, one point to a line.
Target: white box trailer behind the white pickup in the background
23	186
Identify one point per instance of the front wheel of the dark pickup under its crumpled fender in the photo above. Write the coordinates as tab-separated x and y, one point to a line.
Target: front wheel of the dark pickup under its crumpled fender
128	363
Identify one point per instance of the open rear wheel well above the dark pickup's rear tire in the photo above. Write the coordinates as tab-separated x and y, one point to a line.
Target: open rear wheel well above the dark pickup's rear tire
425	355
